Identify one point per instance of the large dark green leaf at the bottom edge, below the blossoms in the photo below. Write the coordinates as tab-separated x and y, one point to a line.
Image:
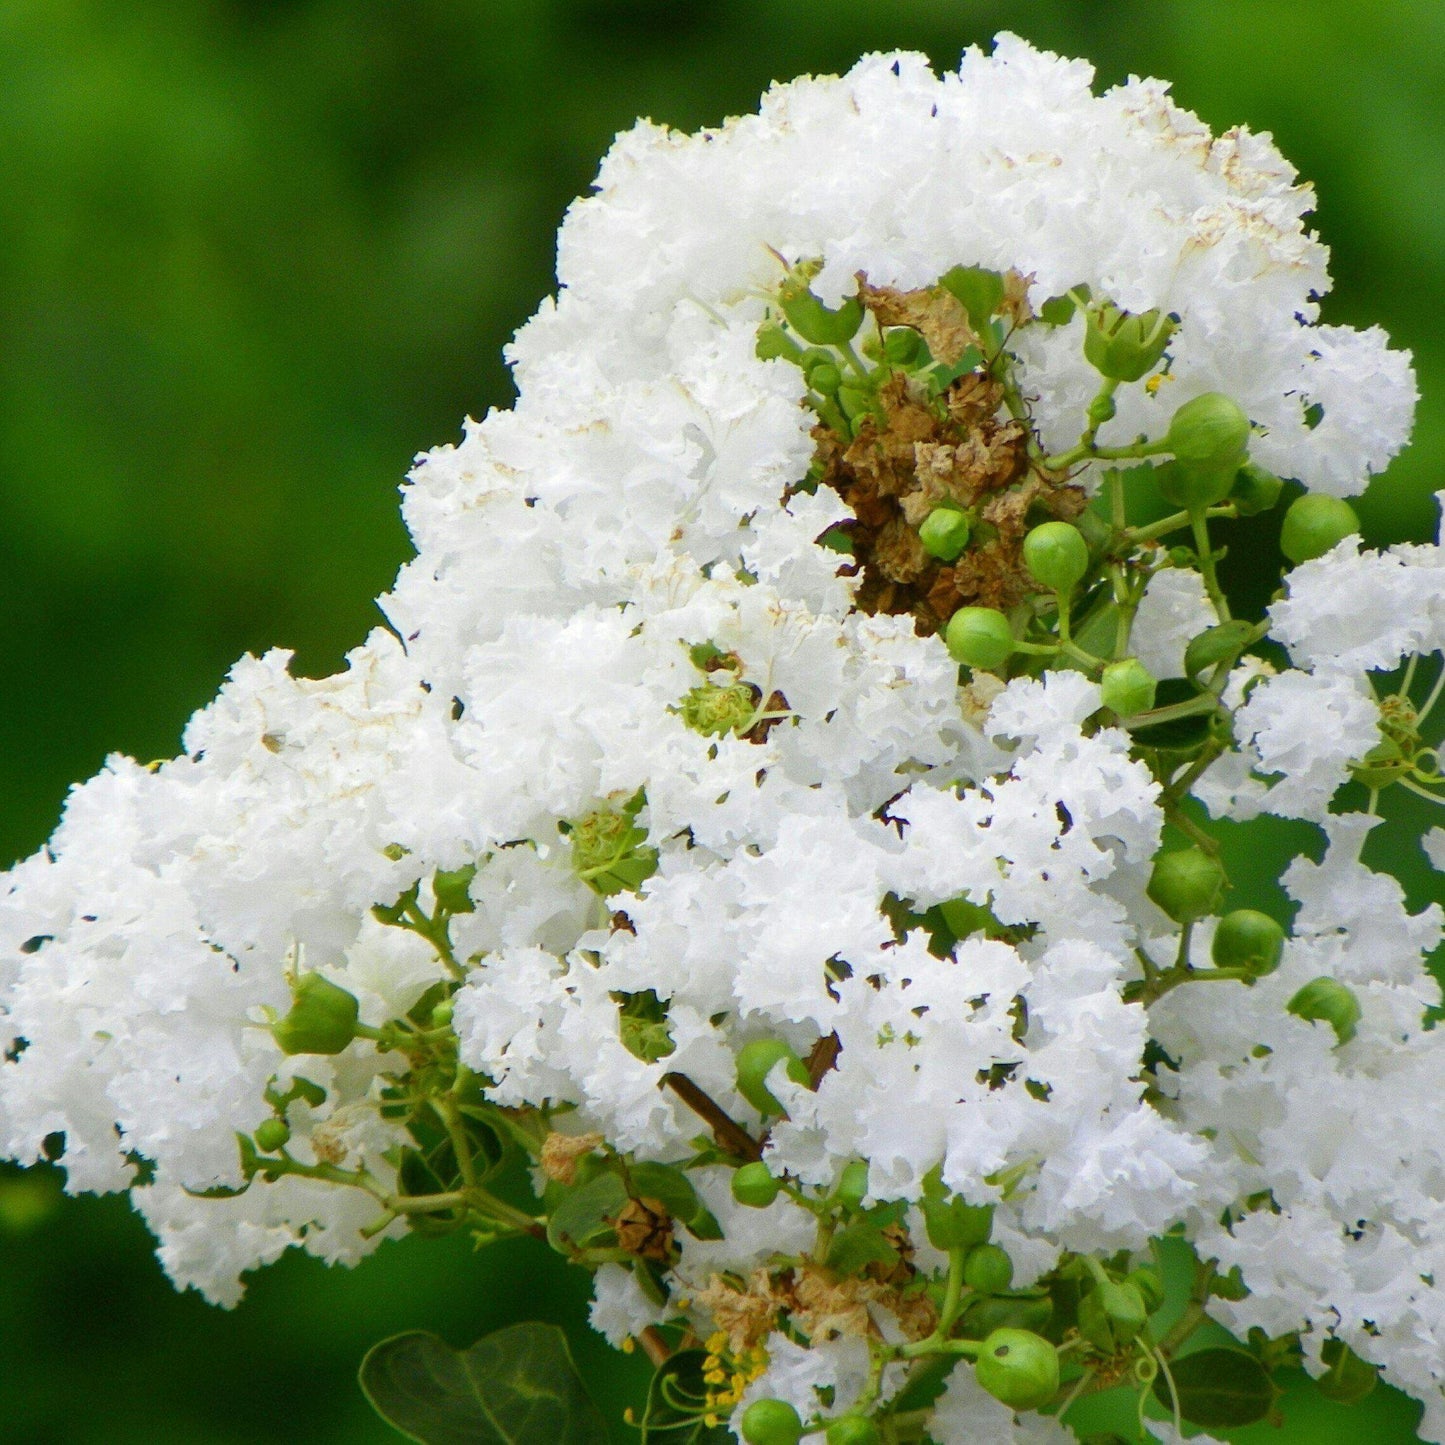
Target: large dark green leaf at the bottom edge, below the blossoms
512	1388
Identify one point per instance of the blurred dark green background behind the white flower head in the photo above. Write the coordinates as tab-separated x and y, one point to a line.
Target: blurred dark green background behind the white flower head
258	254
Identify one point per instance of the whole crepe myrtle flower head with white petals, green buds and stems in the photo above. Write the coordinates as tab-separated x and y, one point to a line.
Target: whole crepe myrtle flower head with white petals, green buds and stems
772	814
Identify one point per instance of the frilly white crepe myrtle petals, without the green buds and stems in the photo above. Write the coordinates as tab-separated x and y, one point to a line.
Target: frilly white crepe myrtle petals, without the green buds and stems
642	502
